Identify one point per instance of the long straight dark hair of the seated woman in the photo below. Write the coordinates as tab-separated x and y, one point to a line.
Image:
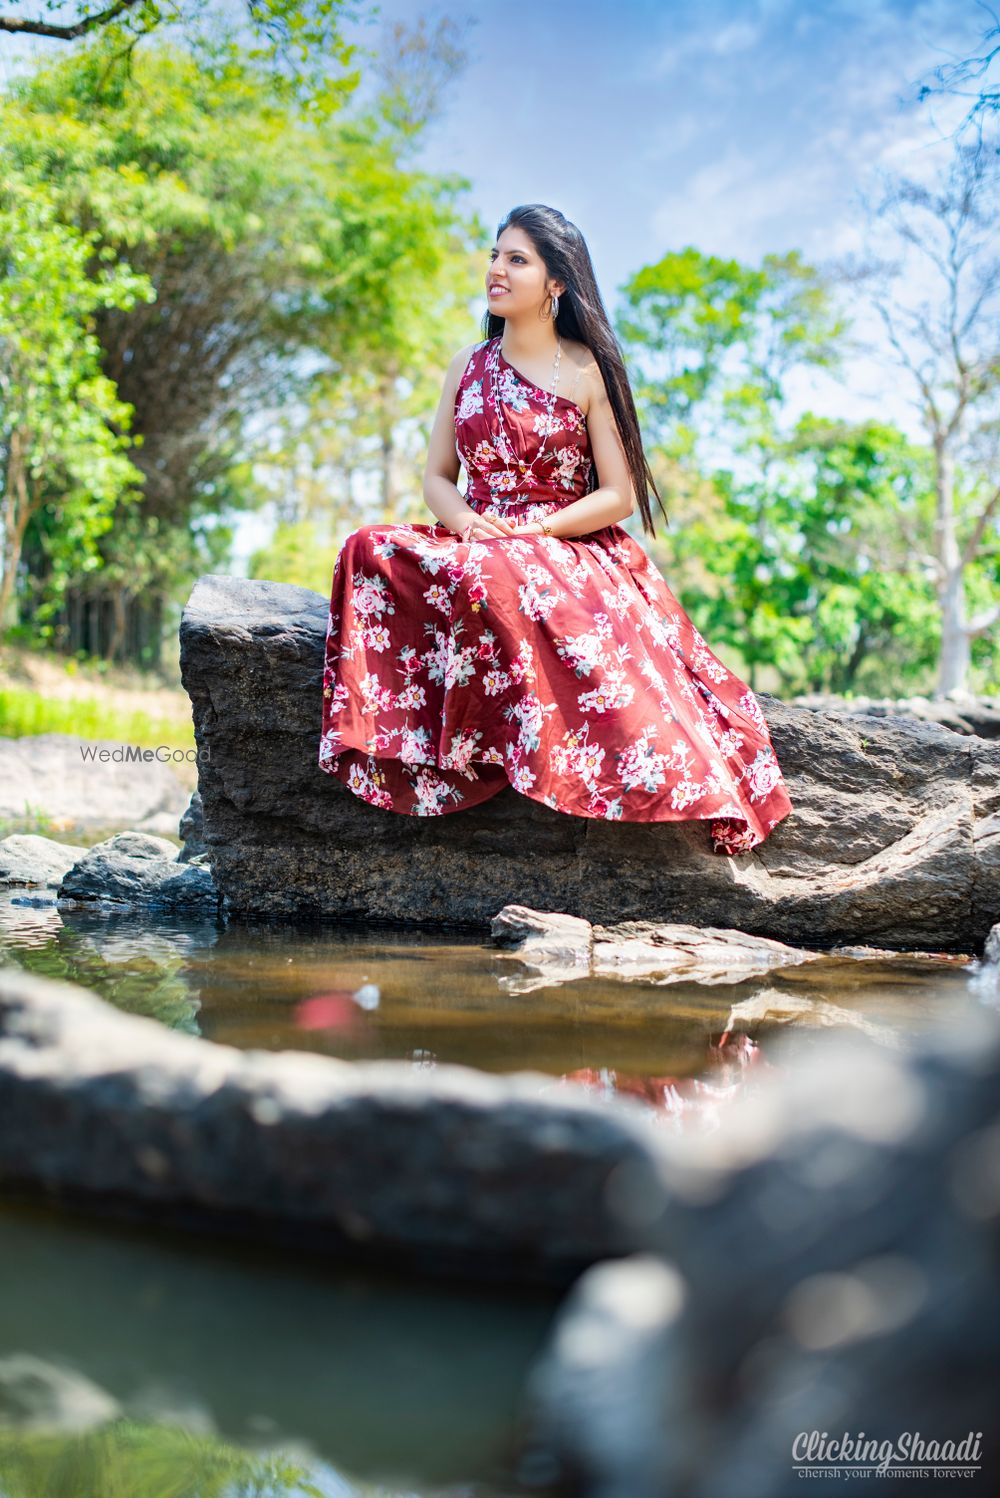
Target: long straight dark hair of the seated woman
582	317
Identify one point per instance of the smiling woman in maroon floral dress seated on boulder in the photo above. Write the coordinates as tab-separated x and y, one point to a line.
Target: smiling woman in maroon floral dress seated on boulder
526	639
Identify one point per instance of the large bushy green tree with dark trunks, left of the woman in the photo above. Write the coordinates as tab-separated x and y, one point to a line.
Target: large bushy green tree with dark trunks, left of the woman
293	260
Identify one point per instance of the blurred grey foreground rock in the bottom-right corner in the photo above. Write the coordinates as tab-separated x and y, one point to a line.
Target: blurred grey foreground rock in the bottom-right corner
827	1262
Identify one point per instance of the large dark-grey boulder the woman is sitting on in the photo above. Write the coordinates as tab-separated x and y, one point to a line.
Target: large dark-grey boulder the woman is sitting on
894	837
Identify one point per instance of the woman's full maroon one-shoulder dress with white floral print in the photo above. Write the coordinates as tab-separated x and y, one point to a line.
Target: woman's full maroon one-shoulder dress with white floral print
564	667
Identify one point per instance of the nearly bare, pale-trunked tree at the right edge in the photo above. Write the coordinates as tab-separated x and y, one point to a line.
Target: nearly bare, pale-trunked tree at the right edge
932	275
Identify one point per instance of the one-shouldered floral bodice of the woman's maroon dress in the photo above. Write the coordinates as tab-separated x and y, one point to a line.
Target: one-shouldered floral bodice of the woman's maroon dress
495	402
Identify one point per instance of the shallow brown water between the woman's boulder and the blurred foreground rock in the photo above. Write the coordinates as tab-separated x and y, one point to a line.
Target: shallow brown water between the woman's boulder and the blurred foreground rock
420	997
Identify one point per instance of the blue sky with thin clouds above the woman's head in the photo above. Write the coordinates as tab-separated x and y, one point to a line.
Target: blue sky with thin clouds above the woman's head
739	127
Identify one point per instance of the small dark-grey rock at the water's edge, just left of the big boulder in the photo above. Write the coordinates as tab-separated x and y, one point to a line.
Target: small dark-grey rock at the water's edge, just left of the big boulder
138	870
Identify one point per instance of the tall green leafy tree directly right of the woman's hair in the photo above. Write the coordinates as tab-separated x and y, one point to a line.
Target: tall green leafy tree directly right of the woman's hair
716	344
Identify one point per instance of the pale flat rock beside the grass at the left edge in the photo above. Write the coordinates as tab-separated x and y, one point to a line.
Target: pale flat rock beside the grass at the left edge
88	783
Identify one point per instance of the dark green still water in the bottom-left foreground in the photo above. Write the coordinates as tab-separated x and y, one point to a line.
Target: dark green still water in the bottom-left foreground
141	1365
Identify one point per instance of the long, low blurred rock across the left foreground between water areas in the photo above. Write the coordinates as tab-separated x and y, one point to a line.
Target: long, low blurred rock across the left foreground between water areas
448	1171
